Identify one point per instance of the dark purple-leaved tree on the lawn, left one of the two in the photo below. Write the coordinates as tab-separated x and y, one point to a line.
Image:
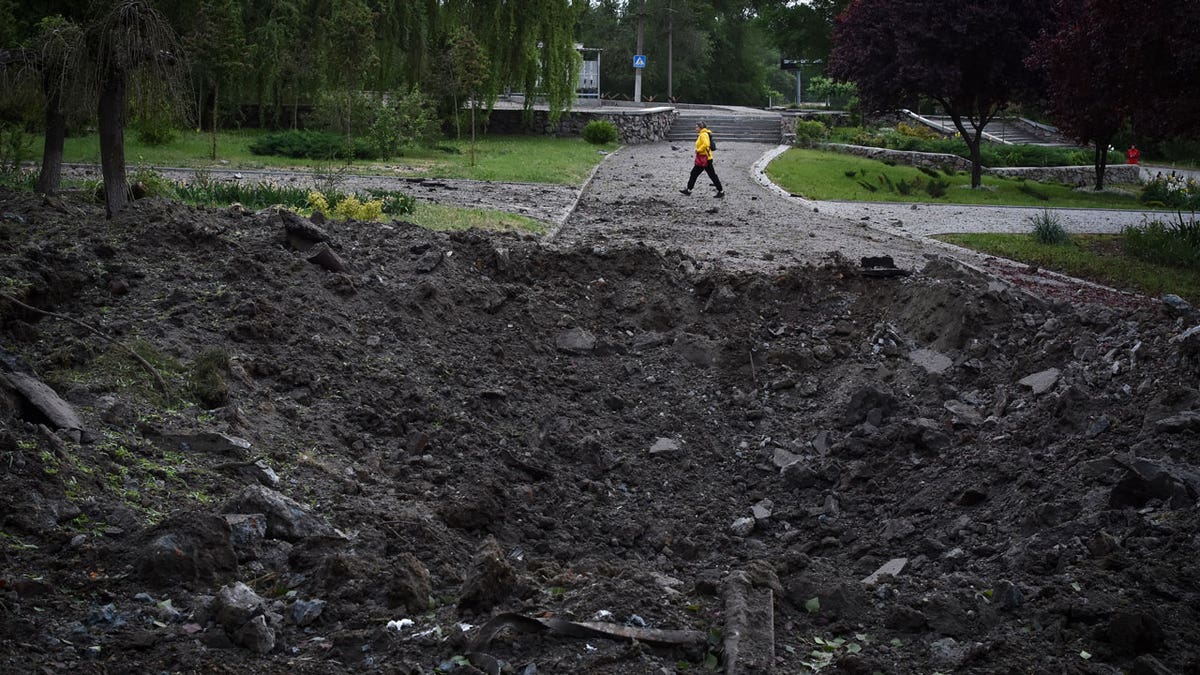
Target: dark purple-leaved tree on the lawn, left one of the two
969	57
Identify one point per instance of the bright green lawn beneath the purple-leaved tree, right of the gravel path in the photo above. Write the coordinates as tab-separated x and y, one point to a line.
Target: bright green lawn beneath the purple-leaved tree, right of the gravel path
818	175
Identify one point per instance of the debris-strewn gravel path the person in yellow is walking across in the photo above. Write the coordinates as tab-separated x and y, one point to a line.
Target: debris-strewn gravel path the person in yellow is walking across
634	198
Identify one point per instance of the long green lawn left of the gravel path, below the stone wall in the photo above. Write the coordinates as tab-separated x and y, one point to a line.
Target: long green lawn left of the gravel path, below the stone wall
560	162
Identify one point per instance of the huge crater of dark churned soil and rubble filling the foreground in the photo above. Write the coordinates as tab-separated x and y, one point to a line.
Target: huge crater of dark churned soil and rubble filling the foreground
387	450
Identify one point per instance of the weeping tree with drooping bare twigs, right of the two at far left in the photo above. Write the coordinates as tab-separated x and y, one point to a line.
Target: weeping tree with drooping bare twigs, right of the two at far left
130	44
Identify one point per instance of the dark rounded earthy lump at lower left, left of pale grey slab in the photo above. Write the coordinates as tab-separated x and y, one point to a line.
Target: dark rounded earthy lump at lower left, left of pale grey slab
191	549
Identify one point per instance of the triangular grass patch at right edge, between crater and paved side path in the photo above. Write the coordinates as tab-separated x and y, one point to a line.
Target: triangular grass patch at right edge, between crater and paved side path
1095	258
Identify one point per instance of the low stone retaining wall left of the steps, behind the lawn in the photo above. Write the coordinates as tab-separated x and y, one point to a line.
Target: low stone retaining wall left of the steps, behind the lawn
644	126
